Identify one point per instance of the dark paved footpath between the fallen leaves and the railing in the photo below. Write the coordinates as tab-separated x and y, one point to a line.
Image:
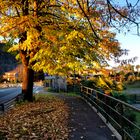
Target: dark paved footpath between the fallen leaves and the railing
84	123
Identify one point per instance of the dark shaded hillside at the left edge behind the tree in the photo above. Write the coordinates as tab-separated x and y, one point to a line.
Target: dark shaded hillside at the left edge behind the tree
7	60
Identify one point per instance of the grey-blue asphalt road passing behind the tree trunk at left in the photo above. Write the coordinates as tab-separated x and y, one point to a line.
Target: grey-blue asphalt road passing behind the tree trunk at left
9	93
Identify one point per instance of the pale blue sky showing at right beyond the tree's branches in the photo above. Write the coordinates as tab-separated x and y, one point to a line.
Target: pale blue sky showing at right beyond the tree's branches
130	40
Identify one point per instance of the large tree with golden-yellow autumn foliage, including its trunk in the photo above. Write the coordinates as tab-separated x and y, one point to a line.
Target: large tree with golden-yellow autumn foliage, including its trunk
58	36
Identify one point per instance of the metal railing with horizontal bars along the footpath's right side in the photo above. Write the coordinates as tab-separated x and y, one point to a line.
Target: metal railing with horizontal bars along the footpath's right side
124	117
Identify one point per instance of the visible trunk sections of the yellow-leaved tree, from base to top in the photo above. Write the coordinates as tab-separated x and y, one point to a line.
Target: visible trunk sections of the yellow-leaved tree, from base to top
28	73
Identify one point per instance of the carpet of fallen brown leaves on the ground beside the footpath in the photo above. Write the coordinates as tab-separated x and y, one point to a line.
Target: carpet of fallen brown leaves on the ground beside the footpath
44	119
